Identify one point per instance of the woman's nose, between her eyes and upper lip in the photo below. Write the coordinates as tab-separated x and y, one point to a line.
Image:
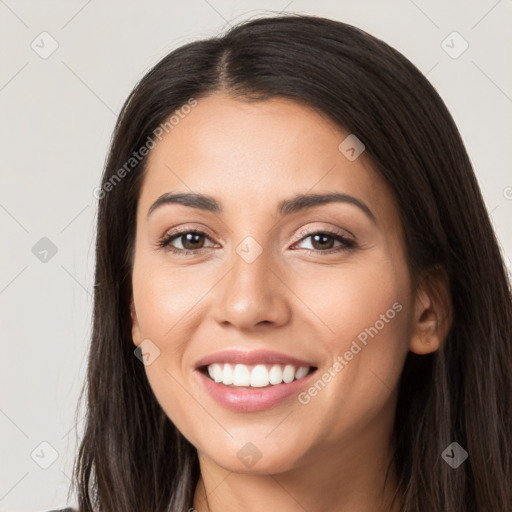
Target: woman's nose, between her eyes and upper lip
252	293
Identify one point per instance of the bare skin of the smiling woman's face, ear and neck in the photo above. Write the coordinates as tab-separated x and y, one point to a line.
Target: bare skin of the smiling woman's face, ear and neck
331	453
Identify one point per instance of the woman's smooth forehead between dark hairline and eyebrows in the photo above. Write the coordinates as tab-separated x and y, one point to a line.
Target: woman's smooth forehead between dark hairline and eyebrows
254	154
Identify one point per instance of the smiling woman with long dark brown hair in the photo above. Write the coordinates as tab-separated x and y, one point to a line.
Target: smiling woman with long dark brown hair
300	303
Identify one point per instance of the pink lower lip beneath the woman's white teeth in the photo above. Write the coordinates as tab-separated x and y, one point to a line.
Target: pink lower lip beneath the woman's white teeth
247	399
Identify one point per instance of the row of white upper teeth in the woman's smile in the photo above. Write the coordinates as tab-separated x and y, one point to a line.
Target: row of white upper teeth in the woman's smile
257	376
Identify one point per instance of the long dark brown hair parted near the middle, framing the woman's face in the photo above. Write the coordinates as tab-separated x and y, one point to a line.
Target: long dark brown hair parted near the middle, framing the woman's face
132	458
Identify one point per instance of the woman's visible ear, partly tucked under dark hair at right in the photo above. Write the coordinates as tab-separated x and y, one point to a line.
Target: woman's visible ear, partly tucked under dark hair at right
432	312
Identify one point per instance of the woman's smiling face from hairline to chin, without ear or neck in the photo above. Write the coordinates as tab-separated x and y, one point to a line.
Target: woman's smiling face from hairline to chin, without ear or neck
315	293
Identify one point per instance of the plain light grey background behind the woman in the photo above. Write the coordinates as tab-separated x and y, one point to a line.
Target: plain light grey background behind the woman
57	115
